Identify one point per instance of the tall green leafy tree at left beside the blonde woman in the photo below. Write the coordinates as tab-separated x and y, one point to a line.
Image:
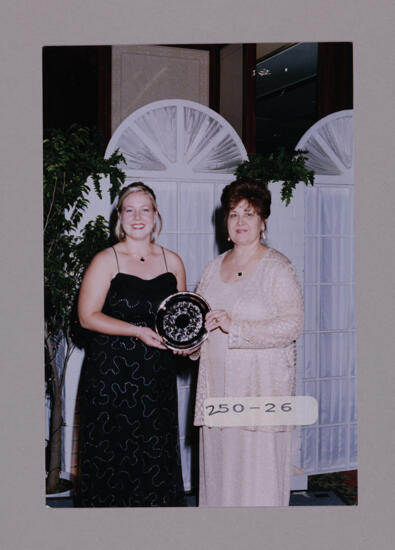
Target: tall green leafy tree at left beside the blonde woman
71	158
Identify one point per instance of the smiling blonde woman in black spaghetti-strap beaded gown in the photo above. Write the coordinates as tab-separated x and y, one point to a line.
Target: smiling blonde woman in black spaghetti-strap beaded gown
128	447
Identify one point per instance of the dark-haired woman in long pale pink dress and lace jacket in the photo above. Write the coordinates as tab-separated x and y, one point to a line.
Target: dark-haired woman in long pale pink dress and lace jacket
257	314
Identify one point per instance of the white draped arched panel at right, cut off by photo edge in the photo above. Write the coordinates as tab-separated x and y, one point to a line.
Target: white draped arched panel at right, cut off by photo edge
329	336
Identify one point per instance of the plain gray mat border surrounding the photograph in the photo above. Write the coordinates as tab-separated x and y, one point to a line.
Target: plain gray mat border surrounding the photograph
26	523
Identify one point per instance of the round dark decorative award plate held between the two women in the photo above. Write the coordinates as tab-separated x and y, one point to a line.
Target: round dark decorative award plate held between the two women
180	320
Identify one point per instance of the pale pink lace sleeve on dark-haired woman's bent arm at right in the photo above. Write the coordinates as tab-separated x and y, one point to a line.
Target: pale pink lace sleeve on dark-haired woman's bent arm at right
281	330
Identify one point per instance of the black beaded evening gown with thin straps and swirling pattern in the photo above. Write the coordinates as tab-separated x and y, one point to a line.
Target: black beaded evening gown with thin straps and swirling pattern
129	446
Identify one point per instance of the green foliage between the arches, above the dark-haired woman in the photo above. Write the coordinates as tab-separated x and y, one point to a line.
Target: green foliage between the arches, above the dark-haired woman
289	168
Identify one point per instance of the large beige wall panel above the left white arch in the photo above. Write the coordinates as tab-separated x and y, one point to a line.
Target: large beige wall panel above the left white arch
142	74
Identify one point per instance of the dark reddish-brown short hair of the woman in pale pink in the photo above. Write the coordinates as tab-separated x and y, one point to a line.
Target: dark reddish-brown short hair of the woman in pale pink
256	194
